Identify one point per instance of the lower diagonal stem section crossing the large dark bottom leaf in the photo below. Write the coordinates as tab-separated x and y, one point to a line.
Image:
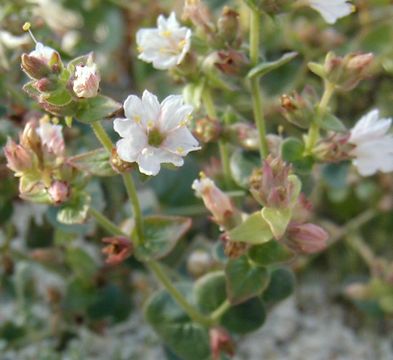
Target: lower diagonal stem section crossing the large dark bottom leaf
192	312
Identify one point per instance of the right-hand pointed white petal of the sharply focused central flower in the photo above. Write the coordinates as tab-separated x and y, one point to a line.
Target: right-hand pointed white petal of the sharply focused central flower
180	141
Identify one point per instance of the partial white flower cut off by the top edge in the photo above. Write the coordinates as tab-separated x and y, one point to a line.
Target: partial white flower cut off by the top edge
332	10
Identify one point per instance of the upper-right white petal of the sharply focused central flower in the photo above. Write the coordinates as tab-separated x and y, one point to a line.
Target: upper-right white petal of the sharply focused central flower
174	112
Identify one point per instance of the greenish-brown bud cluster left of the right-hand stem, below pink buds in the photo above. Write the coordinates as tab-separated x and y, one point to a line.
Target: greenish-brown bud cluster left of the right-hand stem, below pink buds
299	109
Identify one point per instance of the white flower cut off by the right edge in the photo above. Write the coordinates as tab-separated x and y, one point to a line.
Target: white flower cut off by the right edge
373	145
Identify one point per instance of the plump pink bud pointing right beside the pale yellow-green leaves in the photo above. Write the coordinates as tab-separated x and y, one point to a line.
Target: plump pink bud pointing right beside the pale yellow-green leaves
307	238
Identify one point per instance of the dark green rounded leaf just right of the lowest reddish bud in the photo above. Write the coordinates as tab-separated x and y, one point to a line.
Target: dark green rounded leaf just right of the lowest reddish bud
246	317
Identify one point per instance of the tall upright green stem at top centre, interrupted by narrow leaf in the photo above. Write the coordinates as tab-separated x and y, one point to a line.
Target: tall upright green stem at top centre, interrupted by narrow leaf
254	84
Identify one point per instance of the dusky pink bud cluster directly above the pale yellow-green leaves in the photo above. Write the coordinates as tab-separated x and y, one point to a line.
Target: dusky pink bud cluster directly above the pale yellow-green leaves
271	186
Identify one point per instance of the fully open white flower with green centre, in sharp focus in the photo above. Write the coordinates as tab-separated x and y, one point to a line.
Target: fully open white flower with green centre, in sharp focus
154	133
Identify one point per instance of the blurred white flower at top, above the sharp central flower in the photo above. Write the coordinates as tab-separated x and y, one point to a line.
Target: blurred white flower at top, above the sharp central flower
166	45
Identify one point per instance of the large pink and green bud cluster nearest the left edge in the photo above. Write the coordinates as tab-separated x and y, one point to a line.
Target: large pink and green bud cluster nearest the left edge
39	161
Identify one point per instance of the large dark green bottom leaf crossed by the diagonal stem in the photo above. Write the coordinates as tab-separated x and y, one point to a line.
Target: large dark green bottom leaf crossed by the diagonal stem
190	341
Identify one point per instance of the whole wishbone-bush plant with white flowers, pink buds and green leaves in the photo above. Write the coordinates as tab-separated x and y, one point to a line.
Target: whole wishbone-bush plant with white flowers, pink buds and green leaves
261	205
